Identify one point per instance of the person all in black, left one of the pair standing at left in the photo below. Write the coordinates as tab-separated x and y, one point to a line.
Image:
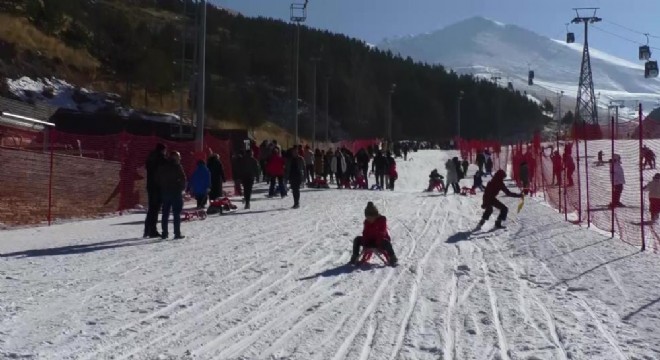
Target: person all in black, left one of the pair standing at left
154	161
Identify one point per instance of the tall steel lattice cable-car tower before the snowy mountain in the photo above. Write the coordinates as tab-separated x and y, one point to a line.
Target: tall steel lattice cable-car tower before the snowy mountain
585	109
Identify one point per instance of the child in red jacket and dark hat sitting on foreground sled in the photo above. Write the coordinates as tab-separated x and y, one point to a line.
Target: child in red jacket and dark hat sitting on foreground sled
374	235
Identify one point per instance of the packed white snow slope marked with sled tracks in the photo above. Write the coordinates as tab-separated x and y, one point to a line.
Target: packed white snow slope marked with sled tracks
271	283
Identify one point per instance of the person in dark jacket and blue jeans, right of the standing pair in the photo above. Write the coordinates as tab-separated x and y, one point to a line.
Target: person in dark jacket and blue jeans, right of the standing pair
172	181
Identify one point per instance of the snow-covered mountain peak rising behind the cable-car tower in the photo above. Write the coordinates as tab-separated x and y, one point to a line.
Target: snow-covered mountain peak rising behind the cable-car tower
486	48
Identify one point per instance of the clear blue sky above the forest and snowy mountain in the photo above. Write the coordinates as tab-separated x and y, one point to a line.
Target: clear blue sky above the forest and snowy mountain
373	20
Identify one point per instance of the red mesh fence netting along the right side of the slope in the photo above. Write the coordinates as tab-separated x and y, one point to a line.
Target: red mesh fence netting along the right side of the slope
597	177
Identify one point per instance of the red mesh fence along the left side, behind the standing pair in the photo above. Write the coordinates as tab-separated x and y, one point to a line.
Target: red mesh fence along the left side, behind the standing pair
55	175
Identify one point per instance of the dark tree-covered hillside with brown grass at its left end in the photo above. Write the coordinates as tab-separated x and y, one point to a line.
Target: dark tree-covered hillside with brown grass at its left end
134	49
